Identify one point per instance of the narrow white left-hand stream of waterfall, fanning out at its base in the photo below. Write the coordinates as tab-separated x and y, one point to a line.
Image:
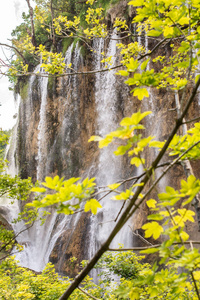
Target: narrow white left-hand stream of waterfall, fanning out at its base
35	246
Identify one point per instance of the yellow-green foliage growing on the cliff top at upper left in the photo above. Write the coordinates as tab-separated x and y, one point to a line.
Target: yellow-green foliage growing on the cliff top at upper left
53	21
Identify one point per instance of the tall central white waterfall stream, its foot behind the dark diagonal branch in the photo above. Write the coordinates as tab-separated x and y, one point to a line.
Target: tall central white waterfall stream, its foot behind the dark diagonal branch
110	166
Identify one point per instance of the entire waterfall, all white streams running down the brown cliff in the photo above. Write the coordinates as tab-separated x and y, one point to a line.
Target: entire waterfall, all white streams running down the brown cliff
39	240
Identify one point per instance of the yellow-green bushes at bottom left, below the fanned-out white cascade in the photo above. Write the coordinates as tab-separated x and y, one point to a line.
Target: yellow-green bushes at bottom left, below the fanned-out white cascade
21	283
